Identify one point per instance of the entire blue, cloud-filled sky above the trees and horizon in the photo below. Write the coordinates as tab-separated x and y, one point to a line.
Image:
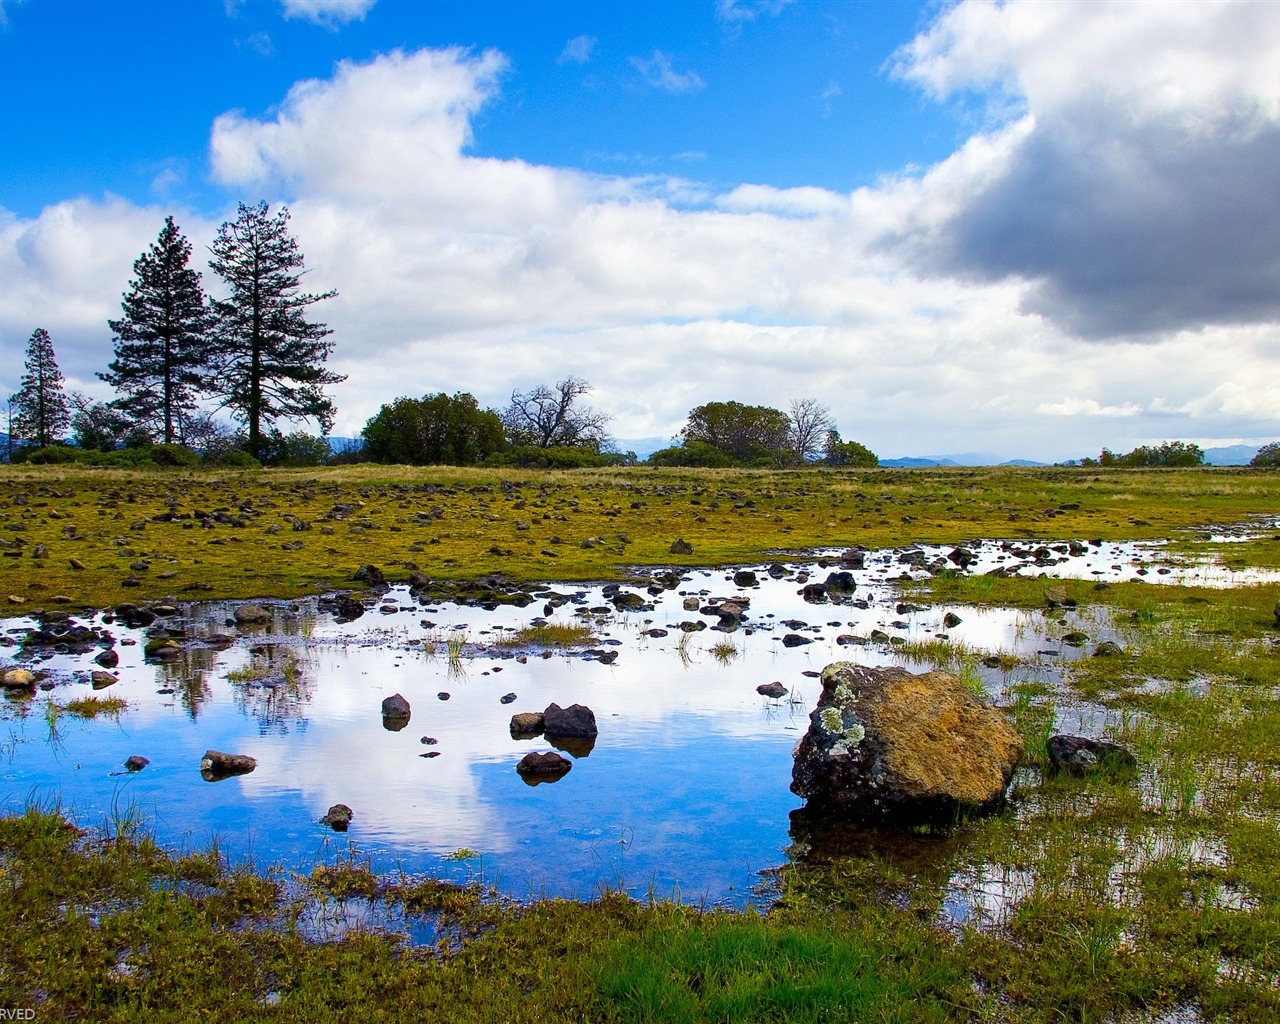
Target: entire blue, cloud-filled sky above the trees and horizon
1026	230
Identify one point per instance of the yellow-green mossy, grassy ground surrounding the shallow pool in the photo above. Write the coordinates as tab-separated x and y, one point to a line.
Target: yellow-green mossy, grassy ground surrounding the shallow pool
1141	897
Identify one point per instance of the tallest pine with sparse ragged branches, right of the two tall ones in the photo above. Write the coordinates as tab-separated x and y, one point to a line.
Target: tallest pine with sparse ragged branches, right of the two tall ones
271	359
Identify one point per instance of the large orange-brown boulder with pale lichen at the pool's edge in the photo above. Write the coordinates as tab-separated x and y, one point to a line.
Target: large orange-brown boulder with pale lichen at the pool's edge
889	746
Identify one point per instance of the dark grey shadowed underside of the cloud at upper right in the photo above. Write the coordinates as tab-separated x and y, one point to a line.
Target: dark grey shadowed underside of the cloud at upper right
1132	234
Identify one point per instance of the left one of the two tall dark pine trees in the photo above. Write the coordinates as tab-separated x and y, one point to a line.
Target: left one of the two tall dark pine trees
162	346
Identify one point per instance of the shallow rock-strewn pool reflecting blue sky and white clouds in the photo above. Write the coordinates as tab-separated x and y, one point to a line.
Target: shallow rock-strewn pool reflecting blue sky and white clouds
687	790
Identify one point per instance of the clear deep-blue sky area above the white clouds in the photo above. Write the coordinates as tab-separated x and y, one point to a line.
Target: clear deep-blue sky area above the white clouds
120	97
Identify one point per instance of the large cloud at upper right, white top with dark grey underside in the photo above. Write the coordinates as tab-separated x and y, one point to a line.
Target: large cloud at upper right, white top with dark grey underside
1140	196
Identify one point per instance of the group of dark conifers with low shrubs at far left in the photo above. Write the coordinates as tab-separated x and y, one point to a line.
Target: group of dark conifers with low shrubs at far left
254	354
